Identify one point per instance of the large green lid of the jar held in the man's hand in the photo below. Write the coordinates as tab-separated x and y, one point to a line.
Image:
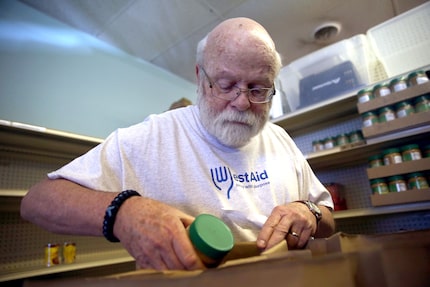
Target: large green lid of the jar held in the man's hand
211	236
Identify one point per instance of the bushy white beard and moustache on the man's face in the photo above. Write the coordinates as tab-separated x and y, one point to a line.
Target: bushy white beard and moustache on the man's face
231	128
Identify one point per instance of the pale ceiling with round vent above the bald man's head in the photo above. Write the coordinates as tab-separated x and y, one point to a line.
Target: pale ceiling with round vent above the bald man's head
166	32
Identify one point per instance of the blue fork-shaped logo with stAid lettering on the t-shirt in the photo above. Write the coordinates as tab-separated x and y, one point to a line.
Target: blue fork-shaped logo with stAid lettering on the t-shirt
224	179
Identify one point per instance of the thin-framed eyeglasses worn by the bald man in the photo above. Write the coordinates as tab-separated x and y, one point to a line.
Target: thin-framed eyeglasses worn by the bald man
255	95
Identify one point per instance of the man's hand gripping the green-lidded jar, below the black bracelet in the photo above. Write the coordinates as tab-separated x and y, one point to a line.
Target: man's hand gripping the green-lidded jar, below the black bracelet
155	235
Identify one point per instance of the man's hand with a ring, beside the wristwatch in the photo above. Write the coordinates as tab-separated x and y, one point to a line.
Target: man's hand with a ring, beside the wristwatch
293	222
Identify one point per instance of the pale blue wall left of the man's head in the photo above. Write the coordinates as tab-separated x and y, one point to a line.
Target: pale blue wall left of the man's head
54	76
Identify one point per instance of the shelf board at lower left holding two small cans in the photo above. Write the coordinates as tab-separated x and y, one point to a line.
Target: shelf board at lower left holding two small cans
82	262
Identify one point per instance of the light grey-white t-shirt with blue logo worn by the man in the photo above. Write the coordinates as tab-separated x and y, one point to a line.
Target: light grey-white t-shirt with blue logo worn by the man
170	157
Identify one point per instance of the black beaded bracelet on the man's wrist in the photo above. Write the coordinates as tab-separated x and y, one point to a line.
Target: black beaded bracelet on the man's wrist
111	212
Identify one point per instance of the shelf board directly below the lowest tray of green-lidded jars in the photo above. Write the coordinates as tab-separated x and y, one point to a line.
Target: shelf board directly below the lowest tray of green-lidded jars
381	210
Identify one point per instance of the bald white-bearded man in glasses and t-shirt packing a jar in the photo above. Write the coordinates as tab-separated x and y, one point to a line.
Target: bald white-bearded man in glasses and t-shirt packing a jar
221	156
